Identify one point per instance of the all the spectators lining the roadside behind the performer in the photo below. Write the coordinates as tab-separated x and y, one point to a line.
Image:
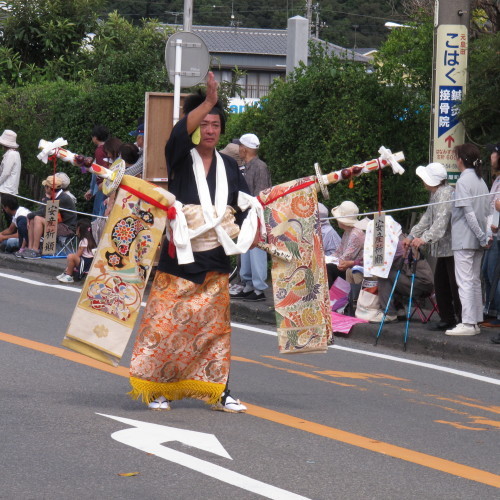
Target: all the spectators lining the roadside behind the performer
457	233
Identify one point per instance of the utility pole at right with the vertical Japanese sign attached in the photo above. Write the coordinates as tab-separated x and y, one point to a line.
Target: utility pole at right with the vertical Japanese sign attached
449	81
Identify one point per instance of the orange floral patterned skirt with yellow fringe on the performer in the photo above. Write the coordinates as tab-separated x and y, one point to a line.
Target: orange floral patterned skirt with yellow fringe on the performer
183	347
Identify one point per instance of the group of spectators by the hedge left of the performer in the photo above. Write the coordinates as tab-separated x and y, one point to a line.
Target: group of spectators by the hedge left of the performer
22	230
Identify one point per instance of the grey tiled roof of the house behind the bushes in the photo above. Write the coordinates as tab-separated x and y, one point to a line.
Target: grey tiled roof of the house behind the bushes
232	40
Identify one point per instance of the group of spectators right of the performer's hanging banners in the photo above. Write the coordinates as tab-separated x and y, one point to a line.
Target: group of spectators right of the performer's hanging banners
457	234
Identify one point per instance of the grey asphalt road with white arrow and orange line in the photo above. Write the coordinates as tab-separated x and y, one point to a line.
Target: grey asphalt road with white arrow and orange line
348	424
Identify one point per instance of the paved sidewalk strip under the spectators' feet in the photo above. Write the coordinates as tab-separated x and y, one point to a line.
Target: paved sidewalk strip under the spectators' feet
477	349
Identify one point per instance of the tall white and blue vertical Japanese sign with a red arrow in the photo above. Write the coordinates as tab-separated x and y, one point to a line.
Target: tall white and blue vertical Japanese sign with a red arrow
449	90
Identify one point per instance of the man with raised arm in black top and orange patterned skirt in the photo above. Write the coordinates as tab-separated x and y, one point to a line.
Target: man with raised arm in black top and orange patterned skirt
183	347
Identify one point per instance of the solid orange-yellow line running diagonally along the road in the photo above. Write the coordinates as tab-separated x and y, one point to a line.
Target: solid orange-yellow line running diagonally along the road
366	443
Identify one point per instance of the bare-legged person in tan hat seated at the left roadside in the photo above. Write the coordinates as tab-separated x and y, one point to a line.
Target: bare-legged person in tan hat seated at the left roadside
66	220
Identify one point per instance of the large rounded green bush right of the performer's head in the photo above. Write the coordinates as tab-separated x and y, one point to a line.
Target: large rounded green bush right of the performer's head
337	114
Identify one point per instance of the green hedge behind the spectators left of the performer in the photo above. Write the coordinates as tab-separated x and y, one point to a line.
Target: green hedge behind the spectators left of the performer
68	110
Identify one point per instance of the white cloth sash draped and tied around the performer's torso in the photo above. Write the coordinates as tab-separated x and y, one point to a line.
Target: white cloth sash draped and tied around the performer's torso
182	234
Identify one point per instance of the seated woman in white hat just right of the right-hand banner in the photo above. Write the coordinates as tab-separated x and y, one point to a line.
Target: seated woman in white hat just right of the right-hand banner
350	251
